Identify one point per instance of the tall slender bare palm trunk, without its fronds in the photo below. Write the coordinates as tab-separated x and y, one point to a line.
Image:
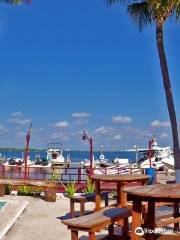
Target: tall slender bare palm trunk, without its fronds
169	97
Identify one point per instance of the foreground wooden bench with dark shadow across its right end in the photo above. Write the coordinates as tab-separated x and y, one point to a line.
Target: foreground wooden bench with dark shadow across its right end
96	221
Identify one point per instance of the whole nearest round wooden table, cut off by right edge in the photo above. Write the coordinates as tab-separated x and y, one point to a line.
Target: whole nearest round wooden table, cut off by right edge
152	194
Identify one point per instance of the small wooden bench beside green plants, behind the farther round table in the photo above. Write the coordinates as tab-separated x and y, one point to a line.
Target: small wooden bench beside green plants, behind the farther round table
82	199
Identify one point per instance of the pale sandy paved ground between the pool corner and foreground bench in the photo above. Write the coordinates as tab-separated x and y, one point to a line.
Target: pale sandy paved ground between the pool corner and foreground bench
41	220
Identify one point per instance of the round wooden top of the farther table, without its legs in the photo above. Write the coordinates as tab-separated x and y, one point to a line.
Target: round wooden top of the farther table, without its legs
120	177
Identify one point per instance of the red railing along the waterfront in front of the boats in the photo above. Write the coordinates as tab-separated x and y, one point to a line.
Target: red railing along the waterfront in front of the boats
63	174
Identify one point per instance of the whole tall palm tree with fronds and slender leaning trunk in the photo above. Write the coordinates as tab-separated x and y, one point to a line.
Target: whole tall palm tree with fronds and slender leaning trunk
144	13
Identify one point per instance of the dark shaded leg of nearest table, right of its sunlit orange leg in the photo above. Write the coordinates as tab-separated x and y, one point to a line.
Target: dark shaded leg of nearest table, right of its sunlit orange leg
150	224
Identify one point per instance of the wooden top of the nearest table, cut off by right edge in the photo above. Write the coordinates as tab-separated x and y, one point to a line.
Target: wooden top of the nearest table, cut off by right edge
156	191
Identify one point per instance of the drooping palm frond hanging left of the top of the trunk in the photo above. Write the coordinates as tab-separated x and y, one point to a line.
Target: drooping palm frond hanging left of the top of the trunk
141	13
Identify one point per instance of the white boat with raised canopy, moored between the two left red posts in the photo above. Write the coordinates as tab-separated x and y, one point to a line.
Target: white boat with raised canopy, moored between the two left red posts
55	154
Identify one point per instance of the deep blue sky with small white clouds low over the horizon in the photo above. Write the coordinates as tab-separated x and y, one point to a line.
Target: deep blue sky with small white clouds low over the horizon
75	65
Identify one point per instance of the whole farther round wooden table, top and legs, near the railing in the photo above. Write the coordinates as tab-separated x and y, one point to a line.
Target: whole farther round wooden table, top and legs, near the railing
121	181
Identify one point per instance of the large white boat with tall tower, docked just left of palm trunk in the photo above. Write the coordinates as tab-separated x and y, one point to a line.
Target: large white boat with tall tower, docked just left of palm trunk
158	154
